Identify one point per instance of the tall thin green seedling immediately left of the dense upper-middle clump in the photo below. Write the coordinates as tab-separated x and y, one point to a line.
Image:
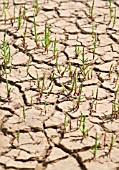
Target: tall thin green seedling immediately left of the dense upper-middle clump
36	36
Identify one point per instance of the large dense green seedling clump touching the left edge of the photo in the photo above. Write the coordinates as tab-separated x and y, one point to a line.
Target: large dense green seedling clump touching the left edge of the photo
6	54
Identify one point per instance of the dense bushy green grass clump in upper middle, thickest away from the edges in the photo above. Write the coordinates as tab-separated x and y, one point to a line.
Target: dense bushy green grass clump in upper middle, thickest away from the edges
47	37
